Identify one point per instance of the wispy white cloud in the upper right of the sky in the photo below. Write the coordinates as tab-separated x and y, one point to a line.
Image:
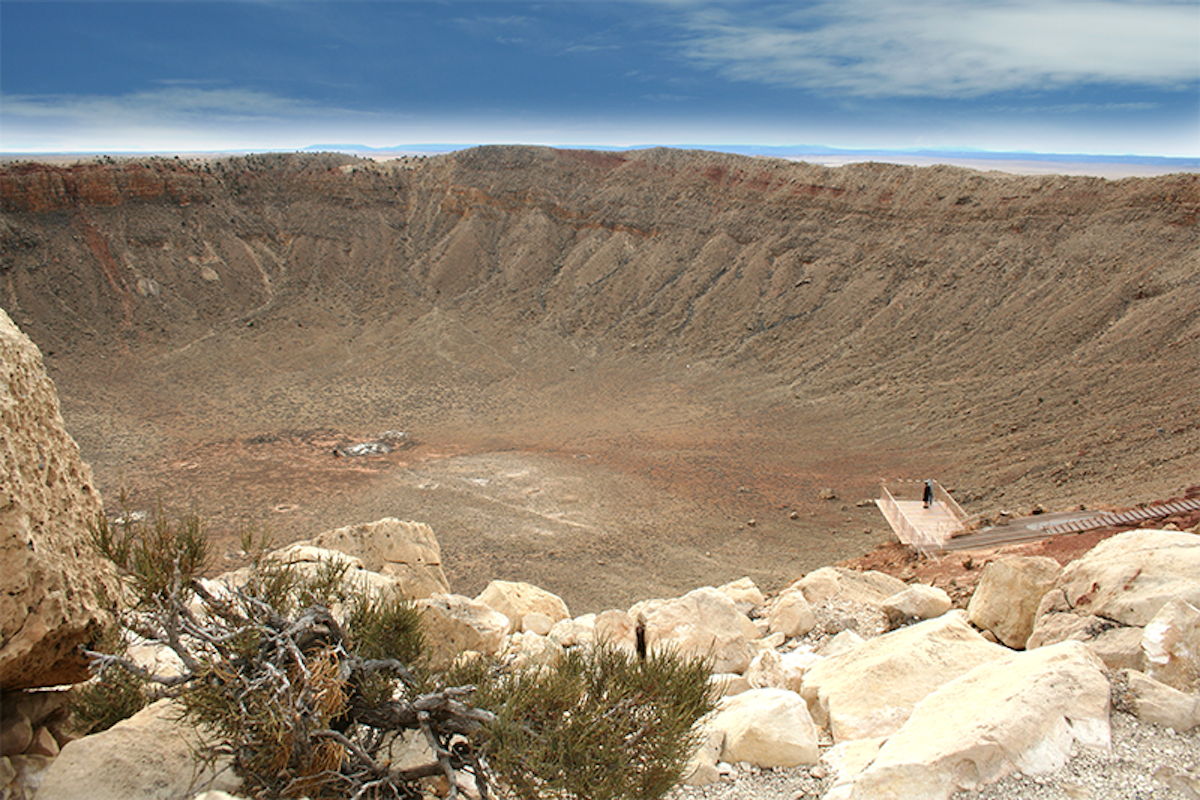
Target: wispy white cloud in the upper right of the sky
950	49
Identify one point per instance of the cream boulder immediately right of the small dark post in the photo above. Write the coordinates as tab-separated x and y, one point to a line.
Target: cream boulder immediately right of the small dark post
703	623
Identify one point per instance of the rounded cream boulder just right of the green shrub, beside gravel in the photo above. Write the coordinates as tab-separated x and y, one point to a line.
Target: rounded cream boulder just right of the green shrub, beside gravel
766	727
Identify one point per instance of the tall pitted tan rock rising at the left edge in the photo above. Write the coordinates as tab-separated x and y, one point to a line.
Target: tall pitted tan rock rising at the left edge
56	591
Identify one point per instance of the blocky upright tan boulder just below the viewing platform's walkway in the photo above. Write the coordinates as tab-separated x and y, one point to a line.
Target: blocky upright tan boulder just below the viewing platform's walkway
1010	593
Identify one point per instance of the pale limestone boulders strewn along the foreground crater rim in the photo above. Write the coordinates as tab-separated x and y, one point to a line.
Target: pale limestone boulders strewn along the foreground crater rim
877	682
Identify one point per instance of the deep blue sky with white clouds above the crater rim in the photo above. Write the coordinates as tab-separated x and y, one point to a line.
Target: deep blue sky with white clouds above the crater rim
1042	76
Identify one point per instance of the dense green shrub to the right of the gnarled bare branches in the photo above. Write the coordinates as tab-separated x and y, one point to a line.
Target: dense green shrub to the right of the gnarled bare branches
602	725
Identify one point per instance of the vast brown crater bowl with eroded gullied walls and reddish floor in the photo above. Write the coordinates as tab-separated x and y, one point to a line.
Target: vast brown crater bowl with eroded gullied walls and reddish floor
608	365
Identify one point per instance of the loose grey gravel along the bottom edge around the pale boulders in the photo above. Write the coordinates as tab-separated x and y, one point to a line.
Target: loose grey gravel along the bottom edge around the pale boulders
1147	762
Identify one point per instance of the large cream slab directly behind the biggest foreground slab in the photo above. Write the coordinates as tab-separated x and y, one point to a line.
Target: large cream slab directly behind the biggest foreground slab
872	689
